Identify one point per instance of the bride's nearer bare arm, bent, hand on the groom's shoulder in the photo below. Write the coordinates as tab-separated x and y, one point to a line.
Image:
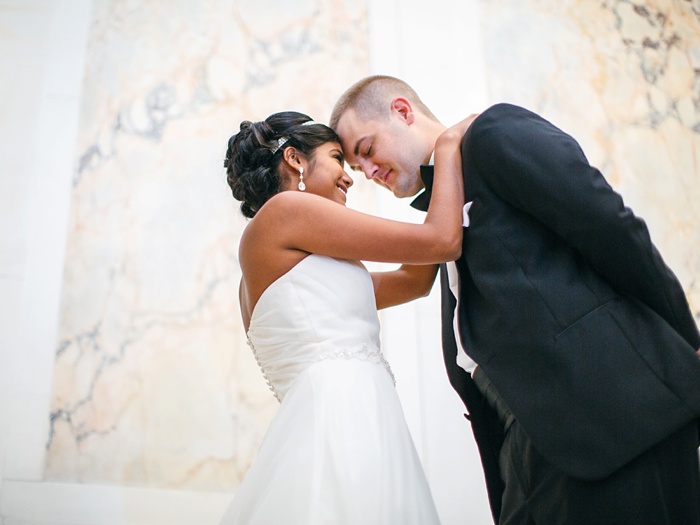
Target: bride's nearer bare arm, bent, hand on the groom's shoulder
313	224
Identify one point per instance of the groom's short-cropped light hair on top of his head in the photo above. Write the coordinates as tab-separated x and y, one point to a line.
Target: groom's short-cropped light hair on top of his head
371	99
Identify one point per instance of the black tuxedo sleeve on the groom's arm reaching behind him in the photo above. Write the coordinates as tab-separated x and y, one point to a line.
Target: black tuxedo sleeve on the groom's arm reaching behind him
540	170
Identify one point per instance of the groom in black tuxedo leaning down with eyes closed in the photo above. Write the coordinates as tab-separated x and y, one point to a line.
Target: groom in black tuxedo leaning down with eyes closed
565	334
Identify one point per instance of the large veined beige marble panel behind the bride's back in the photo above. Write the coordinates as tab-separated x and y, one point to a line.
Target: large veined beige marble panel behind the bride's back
154	384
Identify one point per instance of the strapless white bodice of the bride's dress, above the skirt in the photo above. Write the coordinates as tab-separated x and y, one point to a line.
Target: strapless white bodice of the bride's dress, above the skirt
323	308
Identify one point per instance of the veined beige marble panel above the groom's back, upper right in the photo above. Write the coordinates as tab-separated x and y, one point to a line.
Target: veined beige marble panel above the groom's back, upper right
623	77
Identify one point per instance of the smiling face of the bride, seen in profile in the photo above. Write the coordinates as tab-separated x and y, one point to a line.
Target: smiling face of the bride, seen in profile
326	174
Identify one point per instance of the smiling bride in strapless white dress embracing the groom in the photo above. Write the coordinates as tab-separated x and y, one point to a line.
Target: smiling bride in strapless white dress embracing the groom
338	451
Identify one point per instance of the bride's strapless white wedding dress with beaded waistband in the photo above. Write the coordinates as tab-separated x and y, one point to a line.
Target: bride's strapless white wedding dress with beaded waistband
338	451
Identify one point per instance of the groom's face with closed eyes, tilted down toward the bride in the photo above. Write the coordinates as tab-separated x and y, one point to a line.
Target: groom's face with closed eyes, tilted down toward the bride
386	151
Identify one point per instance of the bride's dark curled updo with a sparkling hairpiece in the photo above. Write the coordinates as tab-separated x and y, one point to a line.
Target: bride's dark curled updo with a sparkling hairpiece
254	154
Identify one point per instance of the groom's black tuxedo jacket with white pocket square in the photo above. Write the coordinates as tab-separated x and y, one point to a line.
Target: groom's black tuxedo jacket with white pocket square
566	305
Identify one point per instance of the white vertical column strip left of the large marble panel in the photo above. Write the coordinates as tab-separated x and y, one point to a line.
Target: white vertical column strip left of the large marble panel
50	169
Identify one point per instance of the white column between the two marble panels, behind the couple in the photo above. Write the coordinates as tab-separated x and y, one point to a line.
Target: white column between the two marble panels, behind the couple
436	47
